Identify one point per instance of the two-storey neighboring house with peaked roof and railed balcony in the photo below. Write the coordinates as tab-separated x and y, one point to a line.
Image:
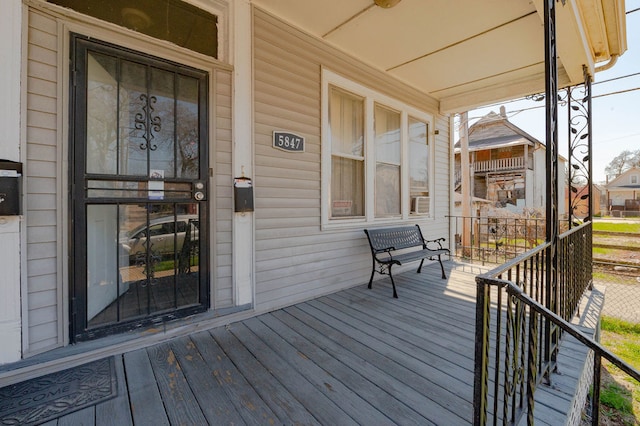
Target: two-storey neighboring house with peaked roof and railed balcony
507	165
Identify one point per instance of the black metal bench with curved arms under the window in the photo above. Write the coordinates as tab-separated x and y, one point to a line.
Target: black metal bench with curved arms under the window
400	245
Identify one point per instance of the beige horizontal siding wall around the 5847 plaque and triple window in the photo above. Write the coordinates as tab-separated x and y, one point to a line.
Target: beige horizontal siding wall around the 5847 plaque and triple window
295	259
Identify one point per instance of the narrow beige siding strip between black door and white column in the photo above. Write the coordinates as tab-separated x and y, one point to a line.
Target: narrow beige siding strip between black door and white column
222	220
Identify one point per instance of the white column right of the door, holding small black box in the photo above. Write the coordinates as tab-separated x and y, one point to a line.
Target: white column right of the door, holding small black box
243	223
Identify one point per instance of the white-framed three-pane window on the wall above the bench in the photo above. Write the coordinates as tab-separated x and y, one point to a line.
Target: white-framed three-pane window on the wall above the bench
376	156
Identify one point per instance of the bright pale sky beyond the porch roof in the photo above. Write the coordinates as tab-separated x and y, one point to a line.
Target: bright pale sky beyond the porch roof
615	116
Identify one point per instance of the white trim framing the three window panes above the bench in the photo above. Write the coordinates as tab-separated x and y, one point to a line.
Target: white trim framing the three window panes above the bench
371	97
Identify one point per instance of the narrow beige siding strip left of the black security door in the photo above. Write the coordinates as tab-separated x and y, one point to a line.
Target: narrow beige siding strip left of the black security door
41	171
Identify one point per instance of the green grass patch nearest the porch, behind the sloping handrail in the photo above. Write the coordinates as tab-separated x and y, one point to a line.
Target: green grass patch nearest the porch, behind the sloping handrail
620	394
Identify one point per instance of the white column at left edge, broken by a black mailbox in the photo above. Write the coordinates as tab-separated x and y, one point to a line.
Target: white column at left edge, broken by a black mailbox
10	226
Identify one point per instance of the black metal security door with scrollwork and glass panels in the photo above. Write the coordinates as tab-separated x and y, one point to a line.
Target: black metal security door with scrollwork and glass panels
139	138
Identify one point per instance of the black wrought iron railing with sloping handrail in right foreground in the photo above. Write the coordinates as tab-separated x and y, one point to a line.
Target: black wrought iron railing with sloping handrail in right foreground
517	335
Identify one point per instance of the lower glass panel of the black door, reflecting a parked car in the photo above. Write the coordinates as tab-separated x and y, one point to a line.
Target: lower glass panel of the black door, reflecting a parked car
154	267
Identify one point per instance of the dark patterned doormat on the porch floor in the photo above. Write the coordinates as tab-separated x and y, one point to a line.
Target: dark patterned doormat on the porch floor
48	397
